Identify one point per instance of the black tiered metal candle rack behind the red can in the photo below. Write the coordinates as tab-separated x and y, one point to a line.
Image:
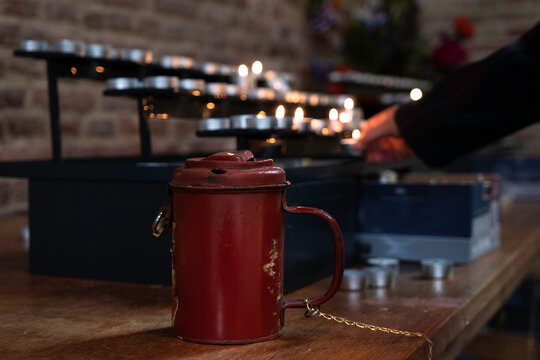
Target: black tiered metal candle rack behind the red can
91	217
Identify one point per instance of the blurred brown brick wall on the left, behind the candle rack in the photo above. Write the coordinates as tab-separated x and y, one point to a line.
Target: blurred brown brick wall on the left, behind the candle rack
231	31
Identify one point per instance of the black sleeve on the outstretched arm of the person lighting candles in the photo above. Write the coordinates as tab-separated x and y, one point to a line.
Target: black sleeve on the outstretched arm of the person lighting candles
476	104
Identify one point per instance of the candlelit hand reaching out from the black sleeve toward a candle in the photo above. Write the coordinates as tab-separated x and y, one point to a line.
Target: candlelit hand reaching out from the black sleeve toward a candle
380	141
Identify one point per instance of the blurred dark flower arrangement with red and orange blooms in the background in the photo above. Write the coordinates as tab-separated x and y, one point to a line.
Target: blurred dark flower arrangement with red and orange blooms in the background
381	36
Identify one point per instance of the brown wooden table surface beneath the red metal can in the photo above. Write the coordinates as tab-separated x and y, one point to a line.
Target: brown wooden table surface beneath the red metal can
45	317
